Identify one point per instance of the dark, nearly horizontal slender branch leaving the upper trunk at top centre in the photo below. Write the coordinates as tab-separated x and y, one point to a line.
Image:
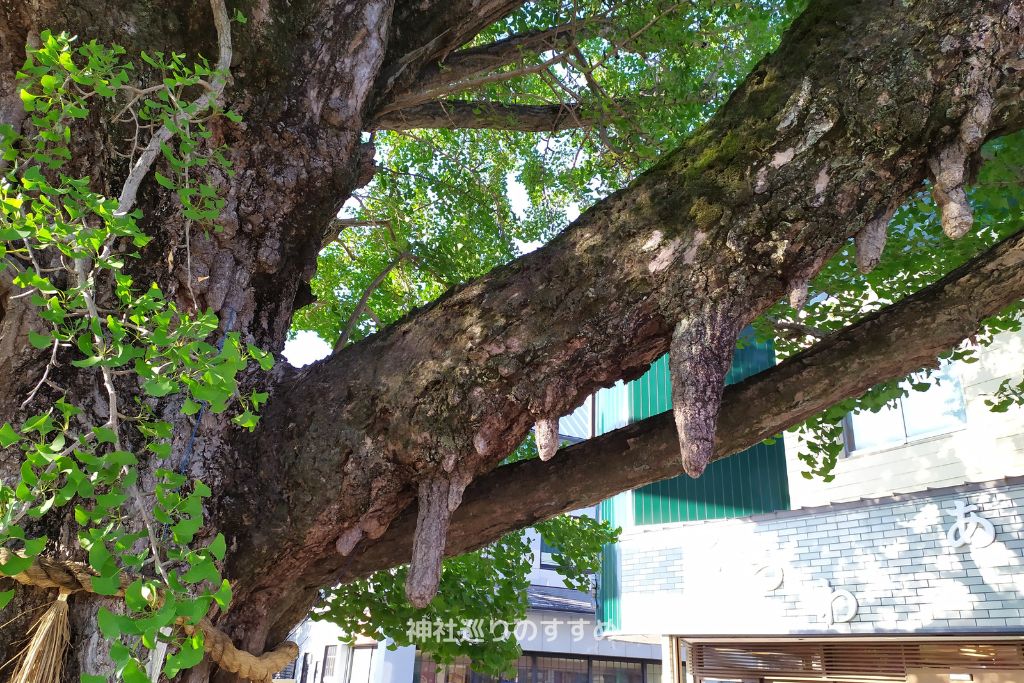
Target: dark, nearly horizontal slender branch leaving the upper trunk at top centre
496	116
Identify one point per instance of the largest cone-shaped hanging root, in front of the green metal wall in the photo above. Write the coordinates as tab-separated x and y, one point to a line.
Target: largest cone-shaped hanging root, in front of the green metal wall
699	360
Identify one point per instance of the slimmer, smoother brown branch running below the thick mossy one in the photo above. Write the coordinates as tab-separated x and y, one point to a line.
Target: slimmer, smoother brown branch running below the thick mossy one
886	346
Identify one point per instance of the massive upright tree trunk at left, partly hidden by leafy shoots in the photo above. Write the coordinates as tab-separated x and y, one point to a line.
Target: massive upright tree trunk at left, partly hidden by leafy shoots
296	159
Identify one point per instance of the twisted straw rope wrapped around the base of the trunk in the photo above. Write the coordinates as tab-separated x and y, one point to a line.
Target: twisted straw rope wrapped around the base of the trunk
75	577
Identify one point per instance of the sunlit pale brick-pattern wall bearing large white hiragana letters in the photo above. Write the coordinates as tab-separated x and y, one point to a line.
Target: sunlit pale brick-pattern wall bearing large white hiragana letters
787	573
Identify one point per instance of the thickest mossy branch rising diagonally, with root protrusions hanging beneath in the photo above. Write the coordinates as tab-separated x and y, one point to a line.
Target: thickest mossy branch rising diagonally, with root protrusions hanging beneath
822	139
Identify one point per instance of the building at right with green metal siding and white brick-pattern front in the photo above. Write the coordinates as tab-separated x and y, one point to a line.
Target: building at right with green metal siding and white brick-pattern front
908	568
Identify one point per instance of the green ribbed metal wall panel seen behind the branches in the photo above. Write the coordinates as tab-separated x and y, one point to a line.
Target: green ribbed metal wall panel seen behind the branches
749	483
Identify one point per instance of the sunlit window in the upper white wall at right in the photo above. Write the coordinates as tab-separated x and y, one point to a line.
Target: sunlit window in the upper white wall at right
920	414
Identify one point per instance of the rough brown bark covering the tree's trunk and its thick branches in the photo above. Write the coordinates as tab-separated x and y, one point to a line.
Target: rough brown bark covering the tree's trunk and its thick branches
862	103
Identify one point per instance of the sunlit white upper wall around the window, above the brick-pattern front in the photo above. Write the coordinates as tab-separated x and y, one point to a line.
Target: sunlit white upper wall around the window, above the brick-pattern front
991	445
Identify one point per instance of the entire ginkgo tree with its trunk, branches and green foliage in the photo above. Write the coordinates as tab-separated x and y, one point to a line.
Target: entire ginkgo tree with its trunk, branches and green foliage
491	210
